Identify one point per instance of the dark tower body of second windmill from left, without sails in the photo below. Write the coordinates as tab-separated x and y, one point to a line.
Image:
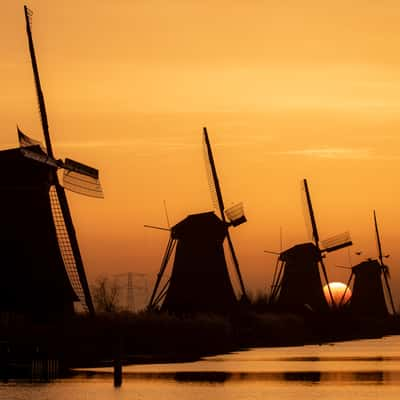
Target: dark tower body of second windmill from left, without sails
199	279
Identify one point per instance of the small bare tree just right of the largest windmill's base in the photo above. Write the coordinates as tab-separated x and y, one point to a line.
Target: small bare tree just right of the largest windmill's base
106	294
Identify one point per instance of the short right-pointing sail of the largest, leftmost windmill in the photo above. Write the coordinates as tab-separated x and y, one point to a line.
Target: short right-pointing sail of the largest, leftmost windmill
81	178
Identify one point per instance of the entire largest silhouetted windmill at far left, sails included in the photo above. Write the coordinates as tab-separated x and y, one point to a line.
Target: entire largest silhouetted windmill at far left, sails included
43	274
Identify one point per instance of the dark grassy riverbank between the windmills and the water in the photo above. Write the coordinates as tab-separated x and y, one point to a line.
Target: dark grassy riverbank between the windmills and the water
147	337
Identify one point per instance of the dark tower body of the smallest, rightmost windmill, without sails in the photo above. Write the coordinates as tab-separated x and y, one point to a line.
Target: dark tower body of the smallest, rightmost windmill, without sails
368	297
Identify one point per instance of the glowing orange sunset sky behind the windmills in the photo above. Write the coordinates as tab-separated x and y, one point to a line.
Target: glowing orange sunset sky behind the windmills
286	91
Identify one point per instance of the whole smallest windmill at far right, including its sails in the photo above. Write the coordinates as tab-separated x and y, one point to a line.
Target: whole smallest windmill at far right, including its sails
371	279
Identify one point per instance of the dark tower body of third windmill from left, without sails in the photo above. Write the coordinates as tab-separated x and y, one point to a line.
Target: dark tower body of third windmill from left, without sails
300	285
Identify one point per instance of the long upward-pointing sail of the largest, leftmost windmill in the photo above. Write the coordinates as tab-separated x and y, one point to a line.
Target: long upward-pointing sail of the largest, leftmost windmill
42	106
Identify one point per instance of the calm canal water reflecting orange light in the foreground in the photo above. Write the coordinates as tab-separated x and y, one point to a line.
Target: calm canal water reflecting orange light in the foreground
362	369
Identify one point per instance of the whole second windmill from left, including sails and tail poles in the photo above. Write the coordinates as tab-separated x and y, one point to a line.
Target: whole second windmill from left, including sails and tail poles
199	280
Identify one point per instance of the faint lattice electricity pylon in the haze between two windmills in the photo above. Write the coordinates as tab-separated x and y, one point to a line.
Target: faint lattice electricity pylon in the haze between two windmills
134	290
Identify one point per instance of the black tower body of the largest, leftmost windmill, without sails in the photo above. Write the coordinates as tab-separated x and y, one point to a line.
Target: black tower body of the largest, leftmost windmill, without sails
34	280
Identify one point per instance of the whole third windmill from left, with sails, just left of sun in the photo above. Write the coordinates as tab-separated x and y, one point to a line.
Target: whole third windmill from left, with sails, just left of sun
297	282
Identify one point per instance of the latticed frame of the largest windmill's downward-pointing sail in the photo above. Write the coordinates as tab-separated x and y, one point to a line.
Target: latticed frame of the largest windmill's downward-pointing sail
66	248
